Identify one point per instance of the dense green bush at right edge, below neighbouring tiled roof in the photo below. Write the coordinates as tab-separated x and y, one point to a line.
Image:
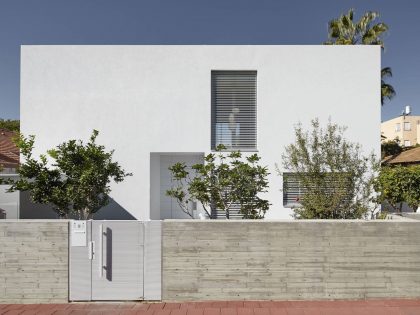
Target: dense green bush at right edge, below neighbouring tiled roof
399	184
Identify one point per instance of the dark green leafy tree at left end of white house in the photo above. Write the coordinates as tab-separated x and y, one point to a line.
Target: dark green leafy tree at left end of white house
76	183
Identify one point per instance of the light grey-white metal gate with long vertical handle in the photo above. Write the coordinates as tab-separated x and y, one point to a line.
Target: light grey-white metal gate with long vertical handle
109	260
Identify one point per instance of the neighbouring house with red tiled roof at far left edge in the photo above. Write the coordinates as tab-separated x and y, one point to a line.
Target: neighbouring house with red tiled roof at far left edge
9	161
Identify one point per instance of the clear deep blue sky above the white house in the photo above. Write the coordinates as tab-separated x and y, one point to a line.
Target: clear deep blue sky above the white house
293	22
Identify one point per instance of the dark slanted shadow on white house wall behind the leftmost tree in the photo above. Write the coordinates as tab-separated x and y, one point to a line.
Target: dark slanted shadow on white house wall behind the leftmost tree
30	210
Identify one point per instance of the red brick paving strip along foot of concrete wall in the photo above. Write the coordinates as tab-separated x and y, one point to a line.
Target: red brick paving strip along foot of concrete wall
361	307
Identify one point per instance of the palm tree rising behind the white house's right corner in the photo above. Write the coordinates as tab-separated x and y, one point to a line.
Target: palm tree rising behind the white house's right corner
344	30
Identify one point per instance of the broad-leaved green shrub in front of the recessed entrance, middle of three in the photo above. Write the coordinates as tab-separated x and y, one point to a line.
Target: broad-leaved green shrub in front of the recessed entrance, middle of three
221	182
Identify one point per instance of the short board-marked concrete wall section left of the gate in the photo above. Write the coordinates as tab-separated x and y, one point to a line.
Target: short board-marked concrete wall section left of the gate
33	261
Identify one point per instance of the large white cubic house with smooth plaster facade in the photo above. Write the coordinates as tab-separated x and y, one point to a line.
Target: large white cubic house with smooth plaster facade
157	105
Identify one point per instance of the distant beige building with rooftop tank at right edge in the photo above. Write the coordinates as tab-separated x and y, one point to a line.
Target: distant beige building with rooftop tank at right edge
405	128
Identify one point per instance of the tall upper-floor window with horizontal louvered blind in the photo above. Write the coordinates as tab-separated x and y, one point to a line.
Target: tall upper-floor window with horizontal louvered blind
234	109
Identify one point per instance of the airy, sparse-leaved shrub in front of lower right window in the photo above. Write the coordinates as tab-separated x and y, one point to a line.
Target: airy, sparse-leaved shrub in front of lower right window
333	173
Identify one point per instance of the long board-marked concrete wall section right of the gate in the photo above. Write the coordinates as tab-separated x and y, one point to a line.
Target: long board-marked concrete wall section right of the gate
269	260
